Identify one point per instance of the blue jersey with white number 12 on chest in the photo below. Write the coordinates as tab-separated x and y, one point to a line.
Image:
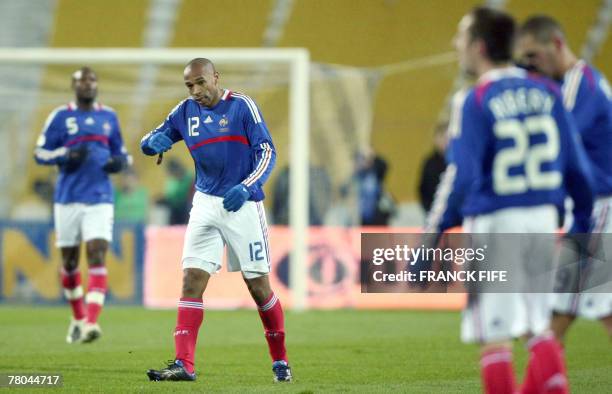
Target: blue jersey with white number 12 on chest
229	143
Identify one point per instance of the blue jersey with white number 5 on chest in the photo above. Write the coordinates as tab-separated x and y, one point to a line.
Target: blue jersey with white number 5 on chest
67	127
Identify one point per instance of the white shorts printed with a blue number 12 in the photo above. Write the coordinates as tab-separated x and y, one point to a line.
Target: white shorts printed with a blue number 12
211	227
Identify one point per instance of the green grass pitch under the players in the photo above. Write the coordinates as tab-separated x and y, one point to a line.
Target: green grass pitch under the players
332	351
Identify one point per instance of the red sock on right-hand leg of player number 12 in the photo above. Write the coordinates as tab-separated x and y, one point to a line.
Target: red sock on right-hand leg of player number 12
271	314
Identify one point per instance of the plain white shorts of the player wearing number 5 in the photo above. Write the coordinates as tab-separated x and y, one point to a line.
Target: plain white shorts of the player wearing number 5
78	222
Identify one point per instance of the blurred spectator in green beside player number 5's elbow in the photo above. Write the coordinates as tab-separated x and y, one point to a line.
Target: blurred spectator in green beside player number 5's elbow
131	199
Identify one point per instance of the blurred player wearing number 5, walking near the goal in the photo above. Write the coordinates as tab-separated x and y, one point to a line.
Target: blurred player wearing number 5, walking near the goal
84	140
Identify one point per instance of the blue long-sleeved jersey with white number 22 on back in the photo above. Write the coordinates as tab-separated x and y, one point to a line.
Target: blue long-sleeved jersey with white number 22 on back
512	144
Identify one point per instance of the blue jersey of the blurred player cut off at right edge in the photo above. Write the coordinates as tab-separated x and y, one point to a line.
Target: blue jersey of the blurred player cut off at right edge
587	95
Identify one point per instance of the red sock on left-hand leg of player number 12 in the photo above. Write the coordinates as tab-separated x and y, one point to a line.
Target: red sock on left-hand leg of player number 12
188	322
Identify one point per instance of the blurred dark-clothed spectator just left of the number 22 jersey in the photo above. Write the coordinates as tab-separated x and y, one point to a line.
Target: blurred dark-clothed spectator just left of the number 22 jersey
433	166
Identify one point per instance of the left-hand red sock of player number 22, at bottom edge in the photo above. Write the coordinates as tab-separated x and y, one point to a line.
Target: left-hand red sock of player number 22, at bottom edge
497	372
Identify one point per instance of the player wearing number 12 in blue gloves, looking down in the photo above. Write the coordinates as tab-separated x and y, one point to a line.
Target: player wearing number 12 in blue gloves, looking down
234	155
